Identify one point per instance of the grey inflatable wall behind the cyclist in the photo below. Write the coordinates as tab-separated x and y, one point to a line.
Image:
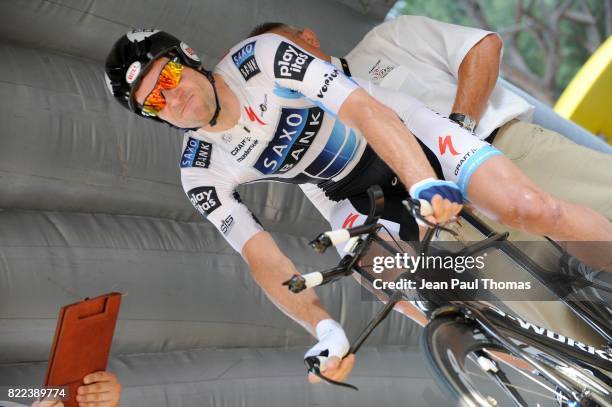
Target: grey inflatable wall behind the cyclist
90	202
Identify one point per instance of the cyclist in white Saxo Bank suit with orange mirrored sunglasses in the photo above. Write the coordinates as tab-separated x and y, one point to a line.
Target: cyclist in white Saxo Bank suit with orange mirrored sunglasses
272	111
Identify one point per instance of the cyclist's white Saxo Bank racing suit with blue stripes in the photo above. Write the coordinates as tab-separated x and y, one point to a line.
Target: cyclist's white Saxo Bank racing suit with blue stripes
288	131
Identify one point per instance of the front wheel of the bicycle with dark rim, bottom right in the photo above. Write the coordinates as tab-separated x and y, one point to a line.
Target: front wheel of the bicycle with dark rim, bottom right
475	371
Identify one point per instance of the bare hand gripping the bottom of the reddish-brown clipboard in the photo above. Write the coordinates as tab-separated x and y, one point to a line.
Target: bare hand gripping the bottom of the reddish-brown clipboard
101	389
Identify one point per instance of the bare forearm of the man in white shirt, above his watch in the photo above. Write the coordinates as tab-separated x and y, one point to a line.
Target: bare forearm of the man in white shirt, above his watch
478	74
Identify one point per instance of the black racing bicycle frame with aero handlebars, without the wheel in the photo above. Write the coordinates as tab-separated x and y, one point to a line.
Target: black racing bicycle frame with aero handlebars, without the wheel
493	322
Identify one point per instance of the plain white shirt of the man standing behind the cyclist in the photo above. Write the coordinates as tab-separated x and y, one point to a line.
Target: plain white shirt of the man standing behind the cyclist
421	57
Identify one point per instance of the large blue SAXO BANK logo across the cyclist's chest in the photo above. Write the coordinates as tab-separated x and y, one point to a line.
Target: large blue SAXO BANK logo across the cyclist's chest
294	134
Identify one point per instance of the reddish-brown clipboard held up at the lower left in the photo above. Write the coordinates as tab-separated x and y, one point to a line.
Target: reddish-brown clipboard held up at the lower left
82	342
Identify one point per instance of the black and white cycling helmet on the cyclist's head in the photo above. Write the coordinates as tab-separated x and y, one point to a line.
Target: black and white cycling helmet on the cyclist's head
132	56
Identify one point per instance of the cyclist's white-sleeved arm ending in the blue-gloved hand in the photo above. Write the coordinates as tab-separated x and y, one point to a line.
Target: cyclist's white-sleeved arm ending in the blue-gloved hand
293	69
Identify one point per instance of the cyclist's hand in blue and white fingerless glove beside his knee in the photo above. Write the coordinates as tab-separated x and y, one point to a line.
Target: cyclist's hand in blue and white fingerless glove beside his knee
444	196
